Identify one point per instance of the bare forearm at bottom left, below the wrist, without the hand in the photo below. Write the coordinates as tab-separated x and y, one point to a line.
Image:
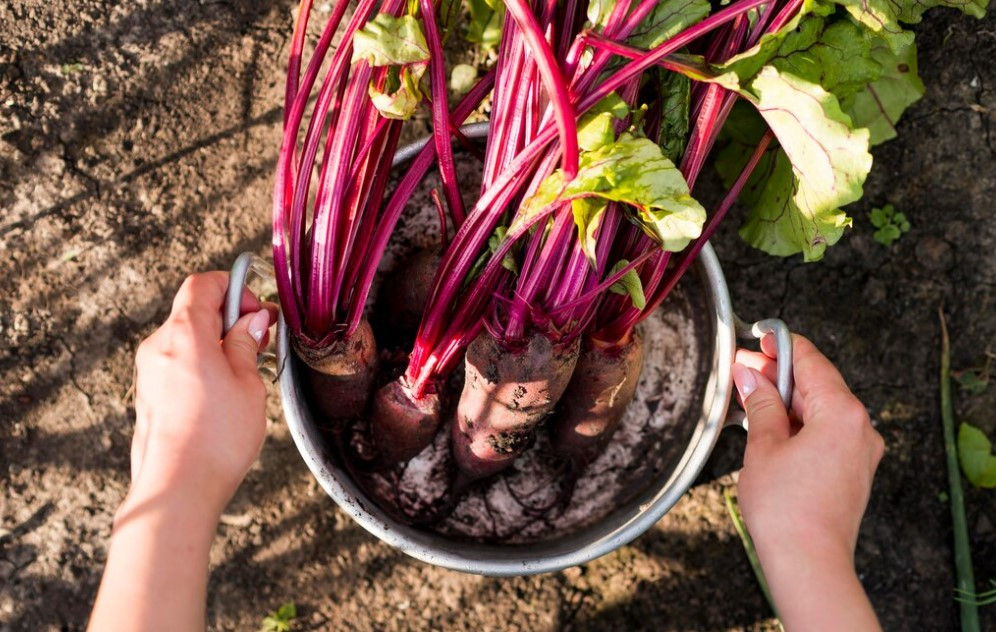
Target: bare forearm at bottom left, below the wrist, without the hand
157	566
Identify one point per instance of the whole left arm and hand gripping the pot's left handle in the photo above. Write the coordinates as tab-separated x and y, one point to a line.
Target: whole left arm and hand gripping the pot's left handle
200	422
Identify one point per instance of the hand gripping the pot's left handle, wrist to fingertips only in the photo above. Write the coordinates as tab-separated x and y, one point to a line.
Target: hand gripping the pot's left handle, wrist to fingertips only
199	400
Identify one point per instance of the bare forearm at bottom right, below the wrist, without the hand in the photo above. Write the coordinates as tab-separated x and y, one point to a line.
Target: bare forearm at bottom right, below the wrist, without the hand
815	588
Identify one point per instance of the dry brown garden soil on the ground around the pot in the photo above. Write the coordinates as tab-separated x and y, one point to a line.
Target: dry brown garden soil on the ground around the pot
137	143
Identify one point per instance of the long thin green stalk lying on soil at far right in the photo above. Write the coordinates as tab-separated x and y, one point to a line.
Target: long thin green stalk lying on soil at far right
962	550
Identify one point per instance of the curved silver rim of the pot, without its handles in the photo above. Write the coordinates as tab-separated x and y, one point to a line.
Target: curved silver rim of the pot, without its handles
611	532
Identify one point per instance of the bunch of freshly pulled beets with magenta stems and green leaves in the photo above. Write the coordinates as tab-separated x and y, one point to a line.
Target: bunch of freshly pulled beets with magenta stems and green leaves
602	116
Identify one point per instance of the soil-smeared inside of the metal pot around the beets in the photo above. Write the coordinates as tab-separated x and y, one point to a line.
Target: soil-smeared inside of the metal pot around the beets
537	498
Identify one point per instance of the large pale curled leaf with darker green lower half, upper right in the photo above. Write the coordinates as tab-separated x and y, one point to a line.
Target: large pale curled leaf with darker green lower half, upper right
796	196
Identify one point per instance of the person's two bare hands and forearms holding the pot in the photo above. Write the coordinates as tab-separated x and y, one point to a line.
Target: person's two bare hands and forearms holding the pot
200	424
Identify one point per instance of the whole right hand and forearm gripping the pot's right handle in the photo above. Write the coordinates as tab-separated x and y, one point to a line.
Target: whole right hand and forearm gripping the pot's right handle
805	484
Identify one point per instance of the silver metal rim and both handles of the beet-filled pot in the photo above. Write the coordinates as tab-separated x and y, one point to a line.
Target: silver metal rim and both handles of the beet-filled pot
626	522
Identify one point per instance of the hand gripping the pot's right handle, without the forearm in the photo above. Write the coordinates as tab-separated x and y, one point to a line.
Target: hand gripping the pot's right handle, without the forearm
807	471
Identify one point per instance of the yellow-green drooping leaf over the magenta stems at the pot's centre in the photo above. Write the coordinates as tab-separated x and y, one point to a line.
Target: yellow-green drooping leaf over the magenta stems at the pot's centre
632	171
